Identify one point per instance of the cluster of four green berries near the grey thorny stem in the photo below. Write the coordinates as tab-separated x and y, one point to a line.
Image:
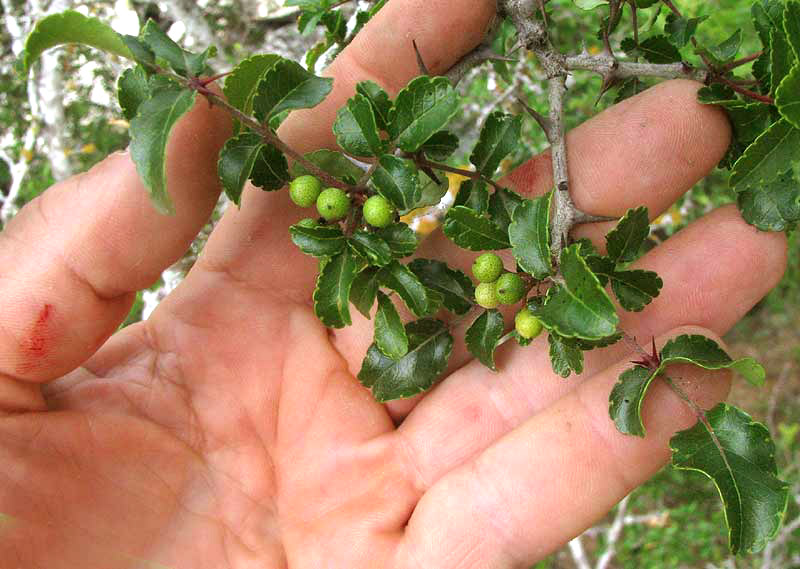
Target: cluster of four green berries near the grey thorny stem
499	287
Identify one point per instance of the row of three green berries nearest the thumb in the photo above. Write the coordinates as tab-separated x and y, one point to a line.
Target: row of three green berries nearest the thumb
333	204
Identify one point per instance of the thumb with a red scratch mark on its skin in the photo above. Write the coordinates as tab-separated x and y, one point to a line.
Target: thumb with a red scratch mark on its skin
73	258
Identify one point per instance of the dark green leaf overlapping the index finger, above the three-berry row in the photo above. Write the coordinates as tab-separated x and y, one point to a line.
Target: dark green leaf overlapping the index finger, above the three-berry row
286	86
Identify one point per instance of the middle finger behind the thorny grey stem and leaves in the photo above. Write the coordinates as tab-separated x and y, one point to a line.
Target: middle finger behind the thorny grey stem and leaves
648	150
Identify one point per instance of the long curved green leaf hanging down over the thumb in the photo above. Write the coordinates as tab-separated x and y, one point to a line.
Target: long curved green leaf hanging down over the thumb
150	132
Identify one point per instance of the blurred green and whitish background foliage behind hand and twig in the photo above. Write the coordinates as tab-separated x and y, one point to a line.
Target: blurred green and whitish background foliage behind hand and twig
65	118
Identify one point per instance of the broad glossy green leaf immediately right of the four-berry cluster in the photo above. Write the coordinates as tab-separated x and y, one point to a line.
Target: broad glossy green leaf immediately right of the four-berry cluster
579	308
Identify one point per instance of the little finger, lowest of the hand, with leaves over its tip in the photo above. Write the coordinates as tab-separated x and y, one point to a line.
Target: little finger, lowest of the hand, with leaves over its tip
554	476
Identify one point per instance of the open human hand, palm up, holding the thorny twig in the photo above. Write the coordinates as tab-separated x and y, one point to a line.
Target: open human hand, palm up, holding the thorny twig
229	430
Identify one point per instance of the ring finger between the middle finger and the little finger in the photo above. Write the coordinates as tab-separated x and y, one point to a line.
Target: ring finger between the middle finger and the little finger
714	271
